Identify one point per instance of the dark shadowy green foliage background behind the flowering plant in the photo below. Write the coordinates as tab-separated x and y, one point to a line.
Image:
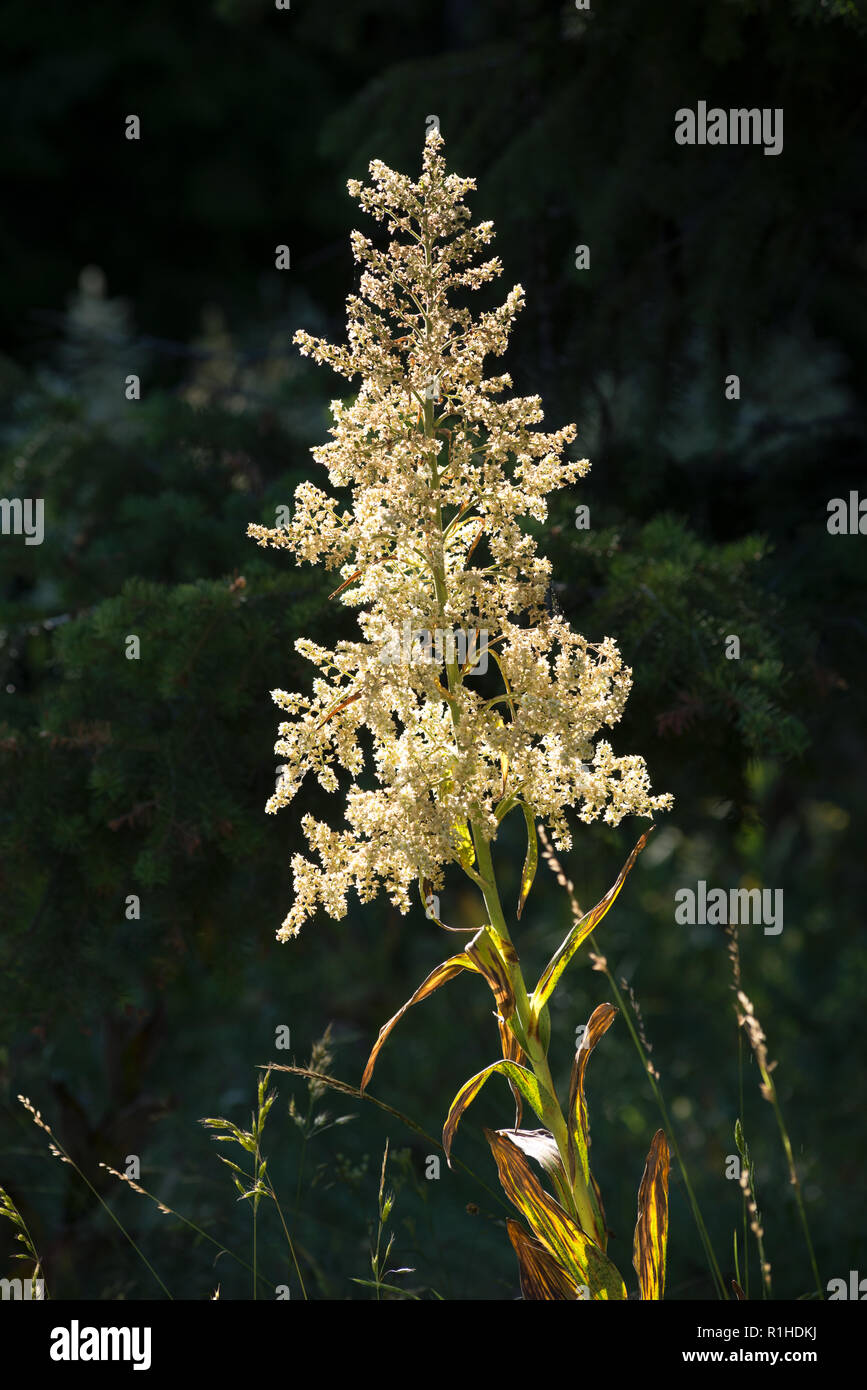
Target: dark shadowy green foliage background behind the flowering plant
708	518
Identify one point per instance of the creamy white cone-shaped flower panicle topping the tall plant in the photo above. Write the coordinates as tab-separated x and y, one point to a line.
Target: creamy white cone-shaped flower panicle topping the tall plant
441	466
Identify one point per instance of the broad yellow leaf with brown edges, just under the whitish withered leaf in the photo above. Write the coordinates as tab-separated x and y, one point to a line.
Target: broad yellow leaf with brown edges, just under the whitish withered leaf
575	1252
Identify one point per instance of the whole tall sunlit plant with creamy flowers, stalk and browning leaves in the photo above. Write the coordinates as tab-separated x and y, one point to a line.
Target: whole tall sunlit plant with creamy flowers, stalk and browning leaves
443	466
